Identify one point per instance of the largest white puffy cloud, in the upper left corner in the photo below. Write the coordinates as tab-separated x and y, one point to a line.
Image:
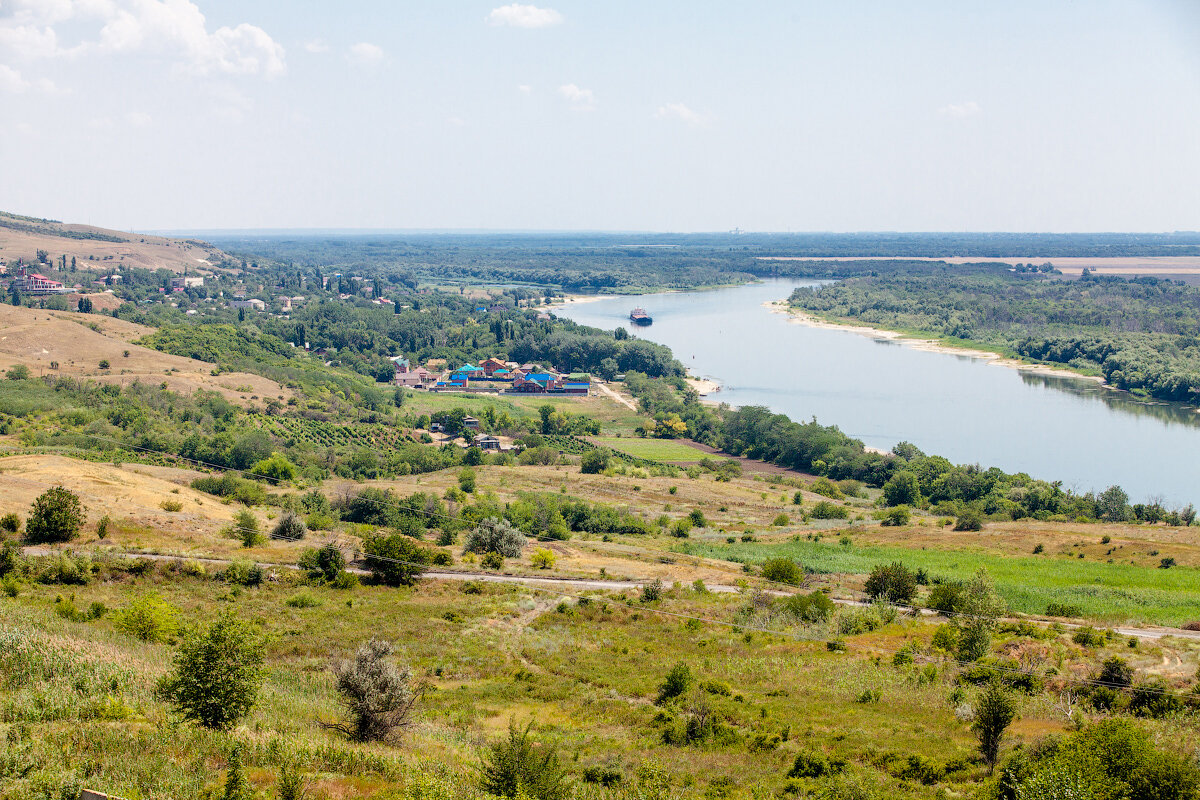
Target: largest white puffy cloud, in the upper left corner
172	29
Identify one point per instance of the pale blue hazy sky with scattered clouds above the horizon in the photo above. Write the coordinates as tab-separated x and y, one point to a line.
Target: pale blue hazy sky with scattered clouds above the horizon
1047	116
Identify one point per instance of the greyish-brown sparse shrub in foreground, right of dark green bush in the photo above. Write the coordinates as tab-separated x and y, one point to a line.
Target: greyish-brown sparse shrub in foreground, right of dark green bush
377	695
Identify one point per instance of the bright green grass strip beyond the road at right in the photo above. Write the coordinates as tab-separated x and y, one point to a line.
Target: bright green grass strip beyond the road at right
1111	593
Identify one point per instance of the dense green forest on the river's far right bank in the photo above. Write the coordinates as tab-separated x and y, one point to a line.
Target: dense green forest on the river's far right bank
1143	335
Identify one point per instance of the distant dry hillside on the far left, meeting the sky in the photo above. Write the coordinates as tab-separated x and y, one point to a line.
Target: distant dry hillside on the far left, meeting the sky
23	237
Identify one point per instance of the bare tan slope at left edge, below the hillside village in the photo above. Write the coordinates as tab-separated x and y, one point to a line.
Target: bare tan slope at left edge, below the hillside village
41	340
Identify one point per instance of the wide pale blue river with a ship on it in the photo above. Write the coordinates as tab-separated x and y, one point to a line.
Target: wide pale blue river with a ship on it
884	392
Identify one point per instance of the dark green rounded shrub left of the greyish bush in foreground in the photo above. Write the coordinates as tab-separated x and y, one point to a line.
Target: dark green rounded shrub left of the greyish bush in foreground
218	675
